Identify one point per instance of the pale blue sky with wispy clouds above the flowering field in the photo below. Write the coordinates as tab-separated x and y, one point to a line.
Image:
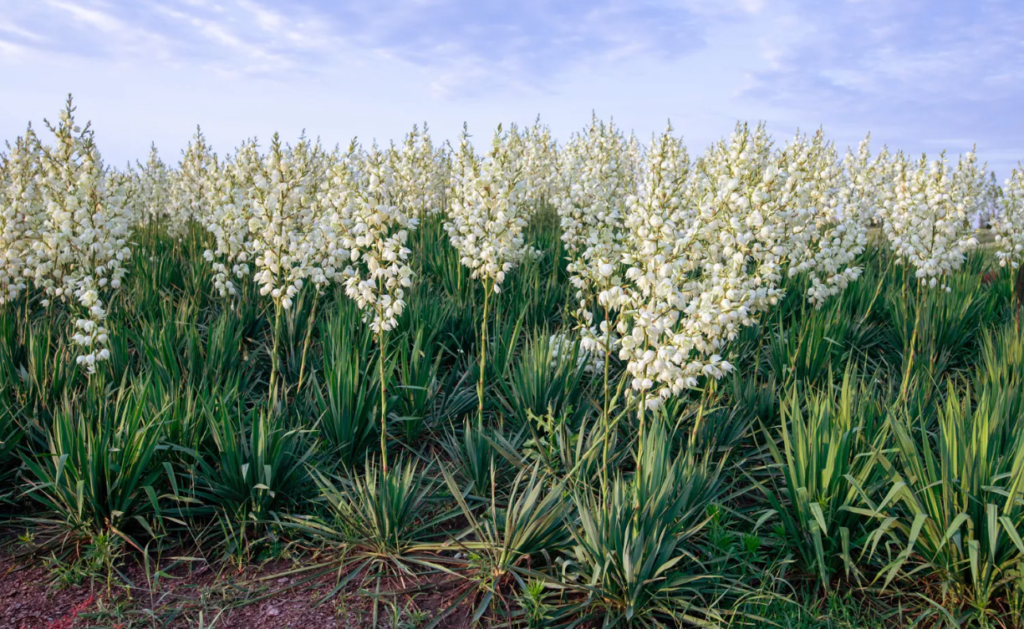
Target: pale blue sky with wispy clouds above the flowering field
920	75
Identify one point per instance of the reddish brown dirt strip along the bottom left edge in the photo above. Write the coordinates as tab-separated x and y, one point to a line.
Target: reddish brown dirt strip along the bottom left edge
252	600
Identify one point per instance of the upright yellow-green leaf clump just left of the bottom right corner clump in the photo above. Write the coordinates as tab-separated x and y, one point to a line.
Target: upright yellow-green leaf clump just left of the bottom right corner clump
821	458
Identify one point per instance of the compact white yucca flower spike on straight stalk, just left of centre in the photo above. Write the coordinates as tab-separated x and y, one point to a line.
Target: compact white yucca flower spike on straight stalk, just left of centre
488	212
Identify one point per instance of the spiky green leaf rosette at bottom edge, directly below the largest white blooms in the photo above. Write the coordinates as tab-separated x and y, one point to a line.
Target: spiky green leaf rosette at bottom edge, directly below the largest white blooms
633	559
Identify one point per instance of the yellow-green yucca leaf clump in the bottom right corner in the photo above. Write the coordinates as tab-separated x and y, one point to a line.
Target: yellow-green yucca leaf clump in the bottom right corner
955	511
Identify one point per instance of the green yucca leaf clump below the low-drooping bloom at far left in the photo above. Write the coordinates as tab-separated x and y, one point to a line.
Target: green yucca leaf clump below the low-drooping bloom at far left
101	472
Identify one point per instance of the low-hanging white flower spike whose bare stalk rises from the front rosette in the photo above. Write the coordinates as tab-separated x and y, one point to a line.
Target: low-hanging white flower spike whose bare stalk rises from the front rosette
375	230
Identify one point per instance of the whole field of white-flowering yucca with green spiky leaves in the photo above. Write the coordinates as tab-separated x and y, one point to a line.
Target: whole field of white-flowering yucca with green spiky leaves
596	385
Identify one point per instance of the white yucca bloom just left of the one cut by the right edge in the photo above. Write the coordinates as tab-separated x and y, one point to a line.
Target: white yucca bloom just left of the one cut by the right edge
929	213
